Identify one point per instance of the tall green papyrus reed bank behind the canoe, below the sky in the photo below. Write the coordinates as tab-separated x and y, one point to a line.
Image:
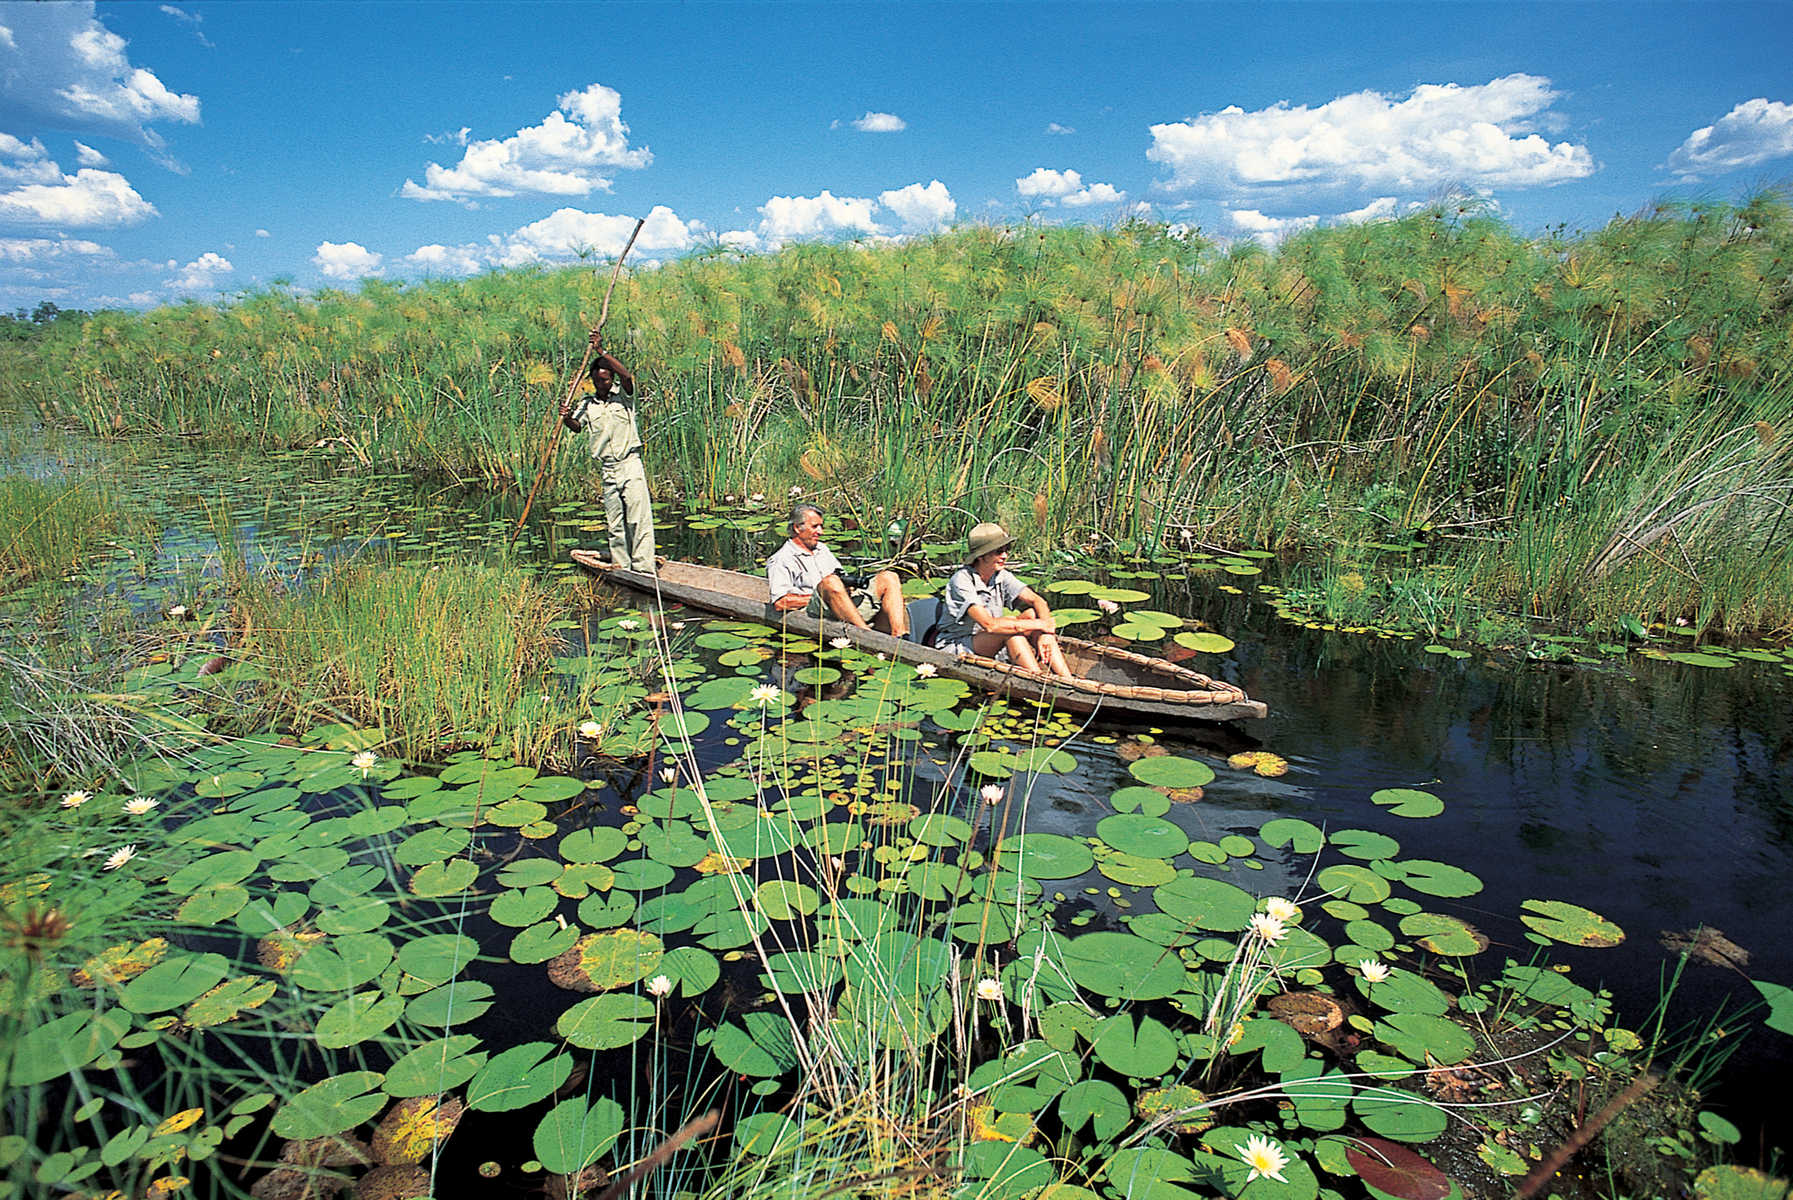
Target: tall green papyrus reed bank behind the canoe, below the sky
1579	426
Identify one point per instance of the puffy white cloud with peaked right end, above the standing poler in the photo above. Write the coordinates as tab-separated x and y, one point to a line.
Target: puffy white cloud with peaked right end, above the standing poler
575	152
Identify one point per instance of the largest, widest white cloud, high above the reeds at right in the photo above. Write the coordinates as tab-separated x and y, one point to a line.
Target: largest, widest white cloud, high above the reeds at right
1437	135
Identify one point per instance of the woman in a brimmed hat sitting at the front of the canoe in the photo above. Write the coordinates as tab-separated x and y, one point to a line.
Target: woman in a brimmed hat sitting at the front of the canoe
978	596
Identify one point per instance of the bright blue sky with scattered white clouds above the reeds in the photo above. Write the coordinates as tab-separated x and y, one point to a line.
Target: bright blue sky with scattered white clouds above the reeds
153	152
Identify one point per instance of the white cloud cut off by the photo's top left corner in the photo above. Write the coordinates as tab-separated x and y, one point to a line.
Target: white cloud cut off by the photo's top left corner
82	80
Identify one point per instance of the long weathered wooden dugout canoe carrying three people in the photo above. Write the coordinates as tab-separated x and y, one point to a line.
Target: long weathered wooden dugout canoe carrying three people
1114	684
